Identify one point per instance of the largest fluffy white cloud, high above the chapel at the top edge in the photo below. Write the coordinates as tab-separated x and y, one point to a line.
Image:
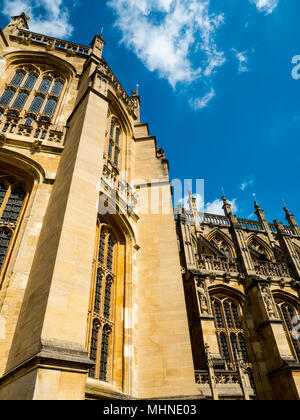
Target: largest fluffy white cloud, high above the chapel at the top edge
176	38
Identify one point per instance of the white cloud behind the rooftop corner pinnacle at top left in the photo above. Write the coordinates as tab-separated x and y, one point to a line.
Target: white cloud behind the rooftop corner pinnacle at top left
48	17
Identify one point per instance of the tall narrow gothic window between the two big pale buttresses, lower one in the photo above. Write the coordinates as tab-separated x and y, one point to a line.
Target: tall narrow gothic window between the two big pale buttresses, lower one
101	312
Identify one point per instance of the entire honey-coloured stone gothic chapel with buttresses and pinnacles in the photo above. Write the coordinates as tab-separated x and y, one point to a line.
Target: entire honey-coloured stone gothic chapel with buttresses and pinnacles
124	303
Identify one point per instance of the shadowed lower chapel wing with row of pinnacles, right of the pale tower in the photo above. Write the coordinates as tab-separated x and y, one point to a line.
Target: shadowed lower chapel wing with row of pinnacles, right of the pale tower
241	280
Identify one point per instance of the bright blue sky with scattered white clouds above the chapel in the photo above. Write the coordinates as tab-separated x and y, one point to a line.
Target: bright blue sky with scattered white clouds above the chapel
215	84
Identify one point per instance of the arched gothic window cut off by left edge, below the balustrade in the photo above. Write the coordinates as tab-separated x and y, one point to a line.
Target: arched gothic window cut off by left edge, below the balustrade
13	197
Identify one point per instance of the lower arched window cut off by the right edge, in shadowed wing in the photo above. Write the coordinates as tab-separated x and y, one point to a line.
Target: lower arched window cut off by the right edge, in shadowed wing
290	316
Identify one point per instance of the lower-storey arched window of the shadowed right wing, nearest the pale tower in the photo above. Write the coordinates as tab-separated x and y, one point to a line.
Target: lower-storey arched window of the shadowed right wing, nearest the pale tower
230	332
